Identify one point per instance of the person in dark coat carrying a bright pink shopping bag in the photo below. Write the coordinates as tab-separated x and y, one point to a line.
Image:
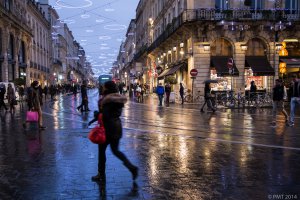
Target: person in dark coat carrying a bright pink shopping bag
34	102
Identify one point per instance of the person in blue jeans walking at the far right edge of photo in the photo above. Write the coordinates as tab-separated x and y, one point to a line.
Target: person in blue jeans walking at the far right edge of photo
295	99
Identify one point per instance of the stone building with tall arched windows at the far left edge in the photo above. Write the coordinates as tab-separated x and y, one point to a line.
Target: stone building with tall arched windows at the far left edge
15	40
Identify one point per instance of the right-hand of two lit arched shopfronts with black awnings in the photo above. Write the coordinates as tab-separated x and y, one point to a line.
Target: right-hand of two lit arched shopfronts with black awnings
257	65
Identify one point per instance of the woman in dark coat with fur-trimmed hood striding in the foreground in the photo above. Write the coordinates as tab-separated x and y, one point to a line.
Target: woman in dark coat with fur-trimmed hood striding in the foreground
111	107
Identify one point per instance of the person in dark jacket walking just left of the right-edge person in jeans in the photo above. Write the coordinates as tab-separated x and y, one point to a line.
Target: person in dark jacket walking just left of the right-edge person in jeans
279	95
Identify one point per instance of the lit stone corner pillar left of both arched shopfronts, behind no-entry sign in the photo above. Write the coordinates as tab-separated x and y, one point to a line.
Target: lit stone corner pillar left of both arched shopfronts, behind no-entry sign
202	64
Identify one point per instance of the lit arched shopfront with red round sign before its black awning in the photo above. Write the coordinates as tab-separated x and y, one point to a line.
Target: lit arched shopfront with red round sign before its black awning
221	55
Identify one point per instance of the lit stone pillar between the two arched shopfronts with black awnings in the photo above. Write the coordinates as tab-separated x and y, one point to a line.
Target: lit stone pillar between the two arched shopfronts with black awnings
239	59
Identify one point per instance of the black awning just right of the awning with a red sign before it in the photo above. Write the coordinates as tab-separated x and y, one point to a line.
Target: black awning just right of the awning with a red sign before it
260	66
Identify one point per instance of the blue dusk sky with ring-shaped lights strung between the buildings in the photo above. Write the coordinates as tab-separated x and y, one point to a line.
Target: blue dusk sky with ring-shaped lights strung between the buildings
99	26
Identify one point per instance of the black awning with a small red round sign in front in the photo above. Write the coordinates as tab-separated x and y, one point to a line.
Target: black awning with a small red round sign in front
219	63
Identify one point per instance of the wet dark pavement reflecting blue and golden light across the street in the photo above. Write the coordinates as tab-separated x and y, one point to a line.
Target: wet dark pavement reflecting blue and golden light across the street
181	153
